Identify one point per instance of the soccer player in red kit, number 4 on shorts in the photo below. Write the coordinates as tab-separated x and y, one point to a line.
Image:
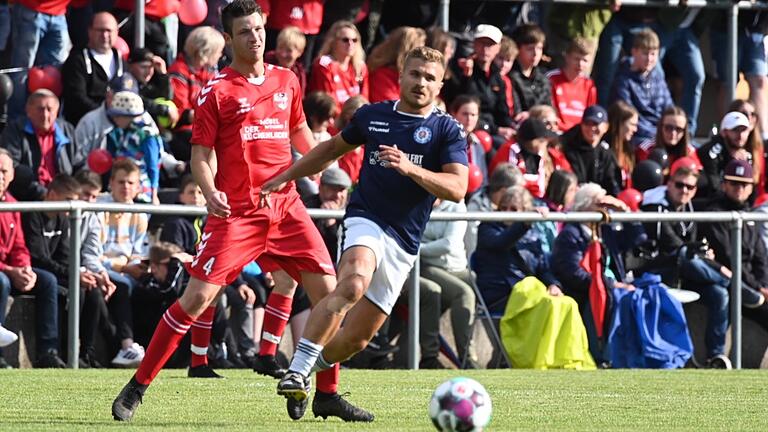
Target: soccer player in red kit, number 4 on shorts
249	114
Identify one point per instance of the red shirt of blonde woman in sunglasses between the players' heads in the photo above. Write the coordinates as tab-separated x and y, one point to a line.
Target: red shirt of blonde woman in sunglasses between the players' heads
327	76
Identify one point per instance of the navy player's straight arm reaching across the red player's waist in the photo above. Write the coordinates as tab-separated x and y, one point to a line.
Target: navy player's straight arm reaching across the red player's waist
318	159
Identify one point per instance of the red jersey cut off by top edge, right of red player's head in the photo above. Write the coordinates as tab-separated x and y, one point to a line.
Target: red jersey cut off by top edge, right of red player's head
307	15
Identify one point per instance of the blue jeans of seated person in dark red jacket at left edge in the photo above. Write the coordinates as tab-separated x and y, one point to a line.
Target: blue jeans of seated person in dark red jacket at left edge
46	292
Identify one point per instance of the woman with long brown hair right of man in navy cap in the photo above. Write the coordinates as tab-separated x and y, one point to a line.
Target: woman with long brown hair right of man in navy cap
622	125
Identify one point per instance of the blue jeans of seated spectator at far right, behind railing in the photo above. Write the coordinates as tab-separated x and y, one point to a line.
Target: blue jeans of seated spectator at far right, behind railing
714	290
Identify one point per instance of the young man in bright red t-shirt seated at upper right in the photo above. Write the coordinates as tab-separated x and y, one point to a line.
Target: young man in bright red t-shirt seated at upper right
572	90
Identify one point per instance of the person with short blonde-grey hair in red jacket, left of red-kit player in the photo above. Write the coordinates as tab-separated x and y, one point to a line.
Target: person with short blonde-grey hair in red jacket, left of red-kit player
188	74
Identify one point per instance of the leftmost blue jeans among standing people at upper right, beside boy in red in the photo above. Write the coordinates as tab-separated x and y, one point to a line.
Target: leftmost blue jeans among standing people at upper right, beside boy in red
617	35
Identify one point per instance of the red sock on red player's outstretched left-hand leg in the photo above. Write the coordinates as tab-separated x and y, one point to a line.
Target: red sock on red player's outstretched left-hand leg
172	327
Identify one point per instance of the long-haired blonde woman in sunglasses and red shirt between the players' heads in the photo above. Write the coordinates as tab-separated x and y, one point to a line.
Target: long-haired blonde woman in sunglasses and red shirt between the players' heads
340	69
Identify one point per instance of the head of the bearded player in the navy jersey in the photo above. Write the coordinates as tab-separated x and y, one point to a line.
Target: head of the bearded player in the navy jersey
420	82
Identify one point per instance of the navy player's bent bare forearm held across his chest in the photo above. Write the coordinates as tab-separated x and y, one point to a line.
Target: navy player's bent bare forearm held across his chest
450	184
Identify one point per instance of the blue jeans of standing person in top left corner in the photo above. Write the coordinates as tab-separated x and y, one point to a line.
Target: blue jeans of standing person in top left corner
38	39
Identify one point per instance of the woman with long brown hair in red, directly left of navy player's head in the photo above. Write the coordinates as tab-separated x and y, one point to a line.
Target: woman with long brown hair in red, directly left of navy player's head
386	61
